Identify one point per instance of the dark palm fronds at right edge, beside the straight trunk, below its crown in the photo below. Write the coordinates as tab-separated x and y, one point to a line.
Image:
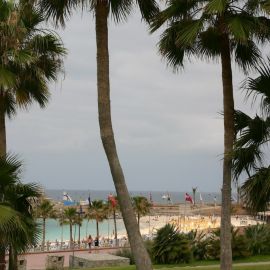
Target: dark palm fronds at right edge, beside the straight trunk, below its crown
252	139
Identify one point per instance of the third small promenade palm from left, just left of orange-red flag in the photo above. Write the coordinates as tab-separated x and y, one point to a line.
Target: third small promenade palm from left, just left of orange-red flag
97	211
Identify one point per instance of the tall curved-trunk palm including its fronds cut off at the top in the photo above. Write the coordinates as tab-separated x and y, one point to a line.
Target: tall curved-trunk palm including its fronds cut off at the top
119	9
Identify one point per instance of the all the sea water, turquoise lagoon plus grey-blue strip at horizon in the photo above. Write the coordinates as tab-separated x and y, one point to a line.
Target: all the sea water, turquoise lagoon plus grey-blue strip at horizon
55	232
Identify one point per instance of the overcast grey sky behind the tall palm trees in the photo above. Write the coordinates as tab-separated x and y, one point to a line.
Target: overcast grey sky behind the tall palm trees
168	126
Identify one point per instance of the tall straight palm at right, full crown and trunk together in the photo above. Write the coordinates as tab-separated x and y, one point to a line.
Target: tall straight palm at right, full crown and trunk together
223	30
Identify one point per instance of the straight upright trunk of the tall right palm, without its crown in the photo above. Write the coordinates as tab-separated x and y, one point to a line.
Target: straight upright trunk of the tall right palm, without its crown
228	105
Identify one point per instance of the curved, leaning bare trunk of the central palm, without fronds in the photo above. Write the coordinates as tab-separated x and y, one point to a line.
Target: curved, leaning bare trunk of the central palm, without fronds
141	256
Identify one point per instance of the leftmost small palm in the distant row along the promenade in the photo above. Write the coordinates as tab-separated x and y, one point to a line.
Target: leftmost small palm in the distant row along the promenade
45	210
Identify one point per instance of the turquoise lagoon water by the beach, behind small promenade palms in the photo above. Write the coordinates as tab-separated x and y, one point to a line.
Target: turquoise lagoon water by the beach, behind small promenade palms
55	232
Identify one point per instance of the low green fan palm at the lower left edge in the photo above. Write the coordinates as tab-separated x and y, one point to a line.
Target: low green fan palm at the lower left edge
16	199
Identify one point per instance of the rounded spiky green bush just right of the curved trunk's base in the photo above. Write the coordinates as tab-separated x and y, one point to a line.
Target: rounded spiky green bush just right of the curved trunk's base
170	246
